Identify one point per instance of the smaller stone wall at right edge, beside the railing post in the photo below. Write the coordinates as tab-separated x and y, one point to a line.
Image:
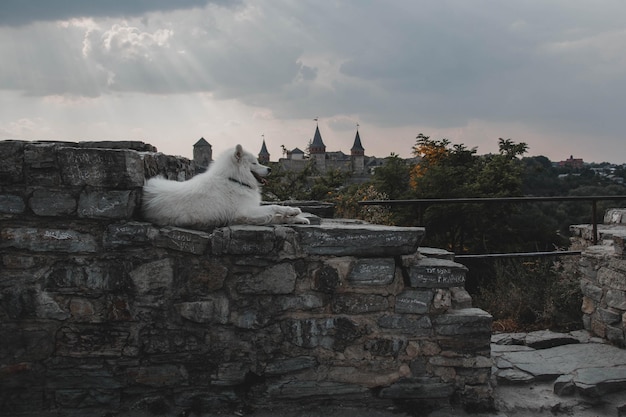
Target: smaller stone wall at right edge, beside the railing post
603	272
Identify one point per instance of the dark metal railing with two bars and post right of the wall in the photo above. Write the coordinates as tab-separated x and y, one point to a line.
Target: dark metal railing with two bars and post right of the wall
424	202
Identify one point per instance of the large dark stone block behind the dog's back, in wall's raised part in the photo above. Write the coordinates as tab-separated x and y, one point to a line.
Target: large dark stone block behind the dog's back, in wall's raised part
121	169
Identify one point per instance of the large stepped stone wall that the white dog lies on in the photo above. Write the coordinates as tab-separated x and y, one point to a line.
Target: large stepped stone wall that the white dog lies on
101	312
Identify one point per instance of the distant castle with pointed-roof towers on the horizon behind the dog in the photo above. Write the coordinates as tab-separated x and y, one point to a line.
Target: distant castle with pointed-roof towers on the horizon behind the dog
296	159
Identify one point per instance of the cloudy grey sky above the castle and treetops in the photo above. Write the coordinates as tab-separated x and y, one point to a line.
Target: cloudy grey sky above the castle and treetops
551	73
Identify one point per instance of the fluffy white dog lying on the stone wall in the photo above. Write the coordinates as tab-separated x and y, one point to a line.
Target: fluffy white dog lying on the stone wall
227	193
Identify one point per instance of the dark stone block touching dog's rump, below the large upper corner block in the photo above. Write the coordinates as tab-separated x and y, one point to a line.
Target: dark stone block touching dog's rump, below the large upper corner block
112	204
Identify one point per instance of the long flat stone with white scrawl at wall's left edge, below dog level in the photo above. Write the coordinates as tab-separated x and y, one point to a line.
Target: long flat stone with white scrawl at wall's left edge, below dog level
47	240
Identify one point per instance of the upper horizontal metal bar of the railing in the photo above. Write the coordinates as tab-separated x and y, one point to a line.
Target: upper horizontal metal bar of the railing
491	200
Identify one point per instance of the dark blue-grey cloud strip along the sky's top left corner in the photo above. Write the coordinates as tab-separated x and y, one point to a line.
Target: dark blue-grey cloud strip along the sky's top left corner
21	12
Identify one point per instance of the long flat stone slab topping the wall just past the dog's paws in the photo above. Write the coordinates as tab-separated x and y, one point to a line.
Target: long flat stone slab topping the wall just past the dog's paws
359	240
